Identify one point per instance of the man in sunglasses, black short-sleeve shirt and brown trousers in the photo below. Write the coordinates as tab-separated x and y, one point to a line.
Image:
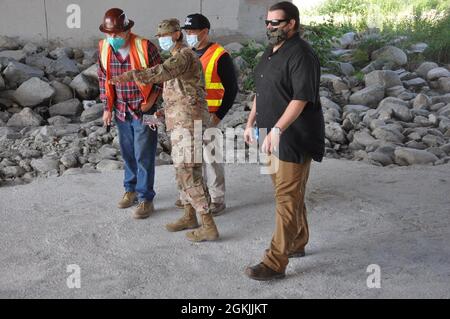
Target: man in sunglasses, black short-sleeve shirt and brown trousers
287	104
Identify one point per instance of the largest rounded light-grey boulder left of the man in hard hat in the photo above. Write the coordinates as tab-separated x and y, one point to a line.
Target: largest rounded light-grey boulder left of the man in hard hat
34	92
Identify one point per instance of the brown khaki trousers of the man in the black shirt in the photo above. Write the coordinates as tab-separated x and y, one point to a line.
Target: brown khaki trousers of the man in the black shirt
291	230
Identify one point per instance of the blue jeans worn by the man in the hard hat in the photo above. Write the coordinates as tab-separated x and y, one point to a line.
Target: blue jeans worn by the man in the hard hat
138	146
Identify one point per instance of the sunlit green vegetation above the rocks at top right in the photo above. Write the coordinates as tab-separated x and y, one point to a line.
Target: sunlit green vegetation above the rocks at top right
425	21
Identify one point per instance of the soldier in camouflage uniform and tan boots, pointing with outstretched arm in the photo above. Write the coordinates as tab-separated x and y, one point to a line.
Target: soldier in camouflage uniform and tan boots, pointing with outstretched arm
184	97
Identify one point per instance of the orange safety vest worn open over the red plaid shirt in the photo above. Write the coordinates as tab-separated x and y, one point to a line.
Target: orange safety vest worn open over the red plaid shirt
139	61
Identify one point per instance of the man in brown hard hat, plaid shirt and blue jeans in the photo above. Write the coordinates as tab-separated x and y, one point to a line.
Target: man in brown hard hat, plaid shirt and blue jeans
119	52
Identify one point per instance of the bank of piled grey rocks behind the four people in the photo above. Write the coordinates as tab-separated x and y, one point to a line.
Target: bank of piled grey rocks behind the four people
50	112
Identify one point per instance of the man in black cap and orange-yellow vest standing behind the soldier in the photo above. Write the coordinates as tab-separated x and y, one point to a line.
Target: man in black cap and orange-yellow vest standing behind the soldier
221	91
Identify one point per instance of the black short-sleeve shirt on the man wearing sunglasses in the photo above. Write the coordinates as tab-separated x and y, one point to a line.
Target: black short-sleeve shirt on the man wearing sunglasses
291	73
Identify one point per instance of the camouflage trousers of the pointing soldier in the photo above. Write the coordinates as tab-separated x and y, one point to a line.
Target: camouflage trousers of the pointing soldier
189	170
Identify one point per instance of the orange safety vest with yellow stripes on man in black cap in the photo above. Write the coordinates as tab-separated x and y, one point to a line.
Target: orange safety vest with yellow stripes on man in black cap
214	88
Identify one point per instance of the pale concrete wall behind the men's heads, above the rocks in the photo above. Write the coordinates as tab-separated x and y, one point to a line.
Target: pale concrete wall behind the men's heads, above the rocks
39	20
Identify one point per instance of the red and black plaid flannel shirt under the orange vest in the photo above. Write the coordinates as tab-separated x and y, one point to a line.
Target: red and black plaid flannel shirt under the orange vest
128	96
